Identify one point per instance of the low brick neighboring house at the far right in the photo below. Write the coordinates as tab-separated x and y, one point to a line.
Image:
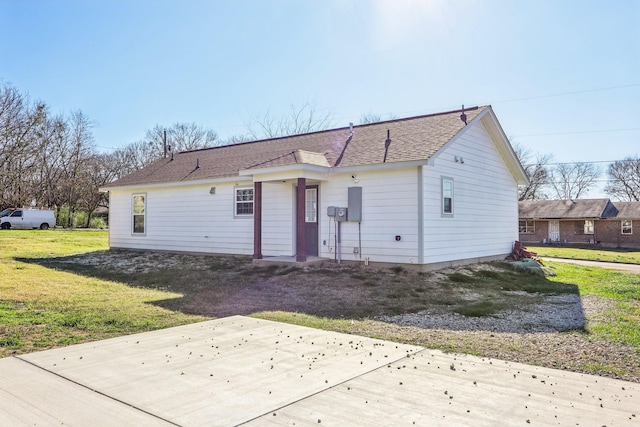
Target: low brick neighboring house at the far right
580	222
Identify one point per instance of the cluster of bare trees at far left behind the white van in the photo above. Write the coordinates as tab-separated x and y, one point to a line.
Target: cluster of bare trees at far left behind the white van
47	161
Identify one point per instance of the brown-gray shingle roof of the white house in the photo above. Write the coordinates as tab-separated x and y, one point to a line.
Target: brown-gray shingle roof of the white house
415	138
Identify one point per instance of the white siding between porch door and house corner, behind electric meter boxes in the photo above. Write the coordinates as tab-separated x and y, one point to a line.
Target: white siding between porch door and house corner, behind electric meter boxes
389	209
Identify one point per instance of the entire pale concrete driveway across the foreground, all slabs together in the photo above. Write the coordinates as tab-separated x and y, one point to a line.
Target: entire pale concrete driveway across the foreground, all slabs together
244	371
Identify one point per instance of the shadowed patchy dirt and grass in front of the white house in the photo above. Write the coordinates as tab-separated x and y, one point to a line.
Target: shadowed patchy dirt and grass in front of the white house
221	286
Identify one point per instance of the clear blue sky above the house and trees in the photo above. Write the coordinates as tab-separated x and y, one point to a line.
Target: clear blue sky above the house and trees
563	76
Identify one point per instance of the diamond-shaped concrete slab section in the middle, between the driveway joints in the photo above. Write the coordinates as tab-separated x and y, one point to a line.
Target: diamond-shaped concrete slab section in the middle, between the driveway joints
222	372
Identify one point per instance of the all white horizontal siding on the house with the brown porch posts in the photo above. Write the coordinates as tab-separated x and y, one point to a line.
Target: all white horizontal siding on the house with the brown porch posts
484	222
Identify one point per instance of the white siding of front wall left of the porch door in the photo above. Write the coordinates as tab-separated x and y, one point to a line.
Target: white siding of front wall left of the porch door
190	219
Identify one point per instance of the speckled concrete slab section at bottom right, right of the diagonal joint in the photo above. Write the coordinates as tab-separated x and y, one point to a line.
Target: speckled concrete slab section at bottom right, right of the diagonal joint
431	388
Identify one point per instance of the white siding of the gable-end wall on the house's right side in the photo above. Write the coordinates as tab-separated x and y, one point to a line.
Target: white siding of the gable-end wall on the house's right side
485	220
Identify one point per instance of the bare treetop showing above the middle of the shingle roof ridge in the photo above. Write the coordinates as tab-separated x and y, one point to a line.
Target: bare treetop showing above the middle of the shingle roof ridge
298	120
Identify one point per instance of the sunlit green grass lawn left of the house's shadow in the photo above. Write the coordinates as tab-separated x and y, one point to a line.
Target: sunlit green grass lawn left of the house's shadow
41	308
